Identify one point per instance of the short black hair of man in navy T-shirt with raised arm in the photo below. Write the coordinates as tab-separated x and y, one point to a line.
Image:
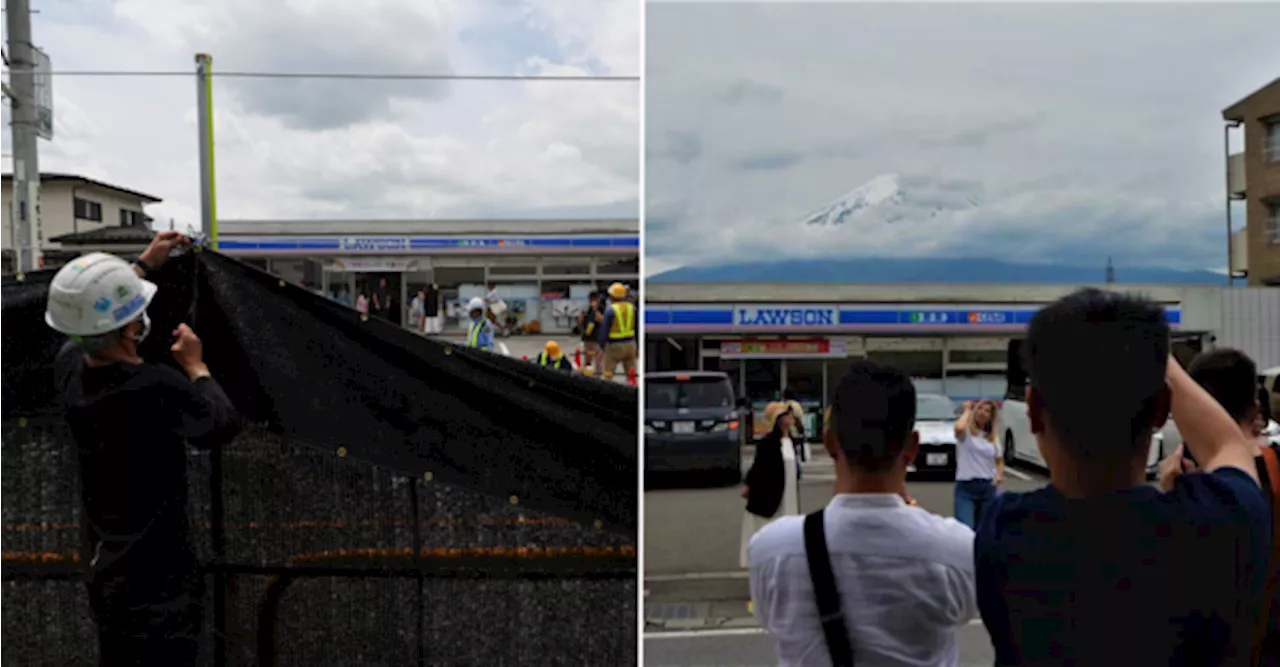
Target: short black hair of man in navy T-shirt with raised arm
1098	362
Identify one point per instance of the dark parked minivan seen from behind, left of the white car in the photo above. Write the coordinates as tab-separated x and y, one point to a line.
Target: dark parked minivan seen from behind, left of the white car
693	423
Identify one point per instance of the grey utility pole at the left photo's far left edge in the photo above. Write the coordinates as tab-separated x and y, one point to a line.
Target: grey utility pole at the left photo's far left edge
25	130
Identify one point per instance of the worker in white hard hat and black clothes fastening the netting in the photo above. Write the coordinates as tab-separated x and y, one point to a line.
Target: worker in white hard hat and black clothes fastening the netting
129	421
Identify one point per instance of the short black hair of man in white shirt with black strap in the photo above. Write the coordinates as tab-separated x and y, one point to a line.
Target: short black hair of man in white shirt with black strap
874	414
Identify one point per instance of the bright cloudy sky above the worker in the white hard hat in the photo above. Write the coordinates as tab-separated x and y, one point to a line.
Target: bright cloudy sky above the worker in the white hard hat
350	149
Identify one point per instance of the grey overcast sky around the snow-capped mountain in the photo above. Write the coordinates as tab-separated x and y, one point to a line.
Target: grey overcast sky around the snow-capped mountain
1026	133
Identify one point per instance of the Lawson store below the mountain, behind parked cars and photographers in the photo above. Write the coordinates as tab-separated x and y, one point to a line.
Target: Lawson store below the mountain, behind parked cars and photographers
958	350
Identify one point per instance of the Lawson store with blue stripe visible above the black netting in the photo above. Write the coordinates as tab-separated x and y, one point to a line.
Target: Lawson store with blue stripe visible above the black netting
545	269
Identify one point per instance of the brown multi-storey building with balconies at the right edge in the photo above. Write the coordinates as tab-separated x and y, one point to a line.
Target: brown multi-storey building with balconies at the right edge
1254	177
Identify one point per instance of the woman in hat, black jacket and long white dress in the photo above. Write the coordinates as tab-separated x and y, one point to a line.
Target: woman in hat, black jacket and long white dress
771	483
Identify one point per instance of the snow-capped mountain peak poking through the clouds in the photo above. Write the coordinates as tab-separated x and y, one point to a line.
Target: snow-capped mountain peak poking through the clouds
893	198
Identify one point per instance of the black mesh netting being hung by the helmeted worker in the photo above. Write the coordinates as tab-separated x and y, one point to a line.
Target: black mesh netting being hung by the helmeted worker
395	500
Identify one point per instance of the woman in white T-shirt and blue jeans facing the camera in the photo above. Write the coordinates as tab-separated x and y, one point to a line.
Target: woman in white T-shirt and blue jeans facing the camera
980	467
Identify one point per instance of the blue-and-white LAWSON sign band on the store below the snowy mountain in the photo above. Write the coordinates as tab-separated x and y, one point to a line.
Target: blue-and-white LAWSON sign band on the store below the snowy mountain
845	318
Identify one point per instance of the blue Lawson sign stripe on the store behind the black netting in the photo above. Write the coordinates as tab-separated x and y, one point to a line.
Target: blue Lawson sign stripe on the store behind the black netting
250	245
